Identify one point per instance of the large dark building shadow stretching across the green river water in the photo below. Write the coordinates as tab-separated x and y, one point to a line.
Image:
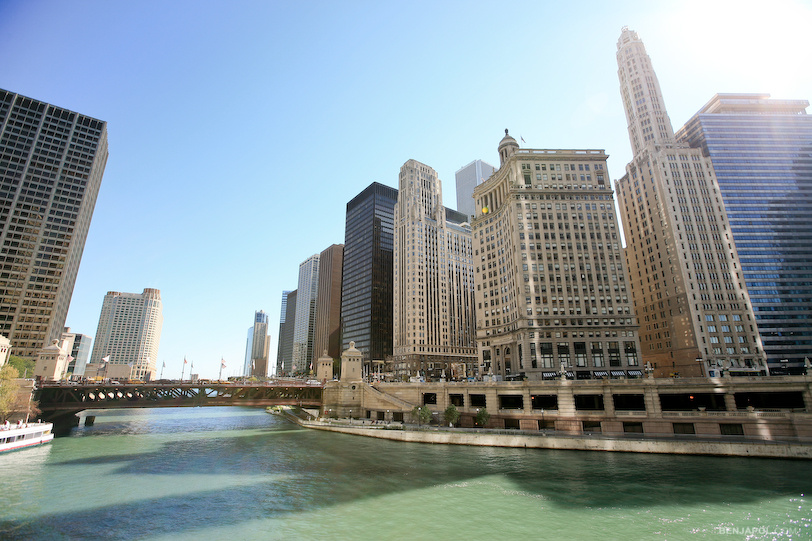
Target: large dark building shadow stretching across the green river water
291	470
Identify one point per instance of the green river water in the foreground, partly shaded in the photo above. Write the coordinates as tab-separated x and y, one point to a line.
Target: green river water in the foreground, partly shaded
239	473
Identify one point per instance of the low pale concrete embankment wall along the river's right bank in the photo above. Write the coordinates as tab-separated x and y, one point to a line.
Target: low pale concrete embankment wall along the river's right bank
492	438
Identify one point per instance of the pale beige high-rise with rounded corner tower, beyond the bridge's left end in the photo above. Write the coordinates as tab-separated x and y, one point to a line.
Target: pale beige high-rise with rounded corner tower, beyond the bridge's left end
129	332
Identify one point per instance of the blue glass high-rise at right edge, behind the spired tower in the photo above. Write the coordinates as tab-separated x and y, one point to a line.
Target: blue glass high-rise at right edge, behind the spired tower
761	150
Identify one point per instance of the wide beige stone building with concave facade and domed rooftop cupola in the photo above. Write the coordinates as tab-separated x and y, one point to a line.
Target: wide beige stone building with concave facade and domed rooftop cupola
552	291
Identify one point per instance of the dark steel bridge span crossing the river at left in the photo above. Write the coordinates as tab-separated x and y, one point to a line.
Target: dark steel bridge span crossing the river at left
61	399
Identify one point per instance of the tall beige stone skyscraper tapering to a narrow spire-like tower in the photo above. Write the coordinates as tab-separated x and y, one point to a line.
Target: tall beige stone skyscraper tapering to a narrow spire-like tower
687	284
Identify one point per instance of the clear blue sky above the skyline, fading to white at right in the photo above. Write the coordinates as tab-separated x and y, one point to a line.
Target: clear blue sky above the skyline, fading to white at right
239	130
